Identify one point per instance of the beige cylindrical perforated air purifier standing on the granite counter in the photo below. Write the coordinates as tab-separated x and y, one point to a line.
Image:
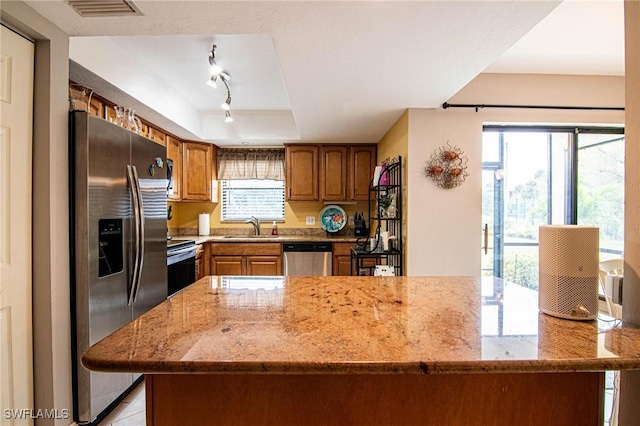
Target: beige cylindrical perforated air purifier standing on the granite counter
568	272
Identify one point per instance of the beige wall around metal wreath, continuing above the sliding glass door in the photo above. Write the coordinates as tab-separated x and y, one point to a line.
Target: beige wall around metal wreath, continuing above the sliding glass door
445	225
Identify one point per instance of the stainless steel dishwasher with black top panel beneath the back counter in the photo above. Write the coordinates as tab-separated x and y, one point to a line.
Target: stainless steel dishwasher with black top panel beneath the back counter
307	259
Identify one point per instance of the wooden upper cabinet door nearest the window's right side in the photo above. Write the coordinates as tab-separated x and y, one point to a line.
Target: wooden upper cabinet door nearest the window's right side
302	173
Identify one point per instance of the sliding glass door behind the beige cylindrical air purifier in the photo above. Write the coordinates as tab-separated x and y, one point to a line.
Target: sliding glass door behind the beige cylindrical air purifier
538	176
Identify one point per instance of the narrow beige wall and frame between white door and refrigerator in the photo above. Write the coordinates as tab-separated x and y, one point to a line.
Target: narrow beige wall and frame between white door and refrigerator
51	309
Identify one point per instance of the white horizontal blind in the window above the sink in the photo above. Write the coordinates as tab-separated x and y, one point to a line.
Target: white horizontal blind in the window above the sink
262	198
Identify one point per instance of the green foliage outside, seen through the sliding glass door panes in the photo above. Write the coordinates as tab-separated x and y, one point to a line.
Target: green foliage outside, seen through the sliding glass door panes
600	203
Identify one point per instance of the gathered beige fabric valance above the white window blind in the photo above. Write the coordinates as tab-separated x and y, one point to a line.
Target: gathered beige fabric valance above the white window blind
240	164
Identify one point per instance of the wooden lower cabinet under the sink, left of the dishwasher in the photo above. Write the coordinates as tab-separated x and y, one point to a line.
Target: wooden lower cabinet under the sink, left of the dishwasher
246	259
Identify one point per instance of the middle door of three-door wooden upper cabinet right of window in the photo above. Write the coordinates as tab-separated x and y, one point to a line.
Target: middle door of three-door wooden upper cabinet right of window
333	173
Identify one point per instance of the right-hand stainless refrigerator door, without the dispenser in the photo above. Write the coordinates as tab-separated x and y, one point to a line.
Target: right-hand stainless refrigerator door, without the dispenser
149	160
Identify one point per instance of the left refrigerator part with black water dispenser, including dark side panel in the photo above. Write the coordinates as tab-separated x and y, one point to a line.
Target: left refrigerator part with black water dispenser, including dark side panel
99	292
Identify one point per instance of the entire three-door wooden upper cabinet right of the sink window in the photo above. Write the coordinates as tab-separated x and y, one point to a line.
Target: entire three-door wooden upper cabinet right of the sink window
332	173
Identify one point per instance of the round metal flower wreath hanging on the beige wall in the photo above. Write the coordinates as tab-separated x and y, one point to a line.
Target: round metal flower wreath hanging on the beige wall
447	167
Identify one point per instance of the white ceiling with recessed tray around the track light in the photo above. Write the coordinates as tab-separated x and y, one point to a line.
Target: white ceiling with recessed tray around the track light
324	71
